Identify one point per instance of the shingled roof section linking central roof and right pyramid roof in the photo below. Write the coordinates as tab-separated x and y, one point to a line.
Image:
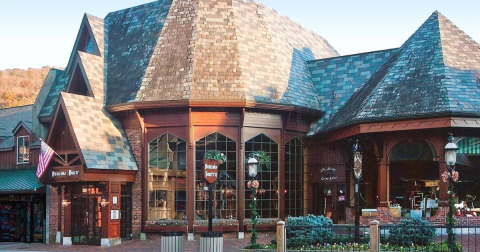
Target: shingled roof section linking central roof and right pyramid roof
336	79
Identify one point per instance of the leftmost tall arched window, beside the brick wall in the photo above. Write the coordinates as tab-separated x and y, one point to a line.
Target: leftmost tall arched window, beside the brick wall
167	164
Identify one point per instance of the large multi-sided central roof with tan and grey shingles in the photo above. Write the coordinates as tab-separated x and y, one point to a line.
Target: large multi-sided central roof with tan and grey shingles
210	50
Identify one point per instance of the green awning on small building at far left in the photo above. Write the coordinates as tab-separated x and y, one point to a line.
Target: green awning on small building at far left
19	181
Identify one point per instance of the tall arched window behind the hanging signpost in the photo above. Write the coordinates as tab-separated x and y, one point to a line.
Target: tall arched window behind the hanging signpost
225	188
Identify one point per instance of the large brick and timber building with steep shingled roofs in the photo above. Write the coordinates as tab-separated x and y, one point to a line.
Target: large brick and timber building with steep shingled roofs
149	89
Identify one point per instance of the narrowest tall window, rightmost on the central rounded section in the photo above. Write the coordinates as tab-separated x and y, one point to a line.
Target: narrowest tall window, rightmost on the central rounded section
294	178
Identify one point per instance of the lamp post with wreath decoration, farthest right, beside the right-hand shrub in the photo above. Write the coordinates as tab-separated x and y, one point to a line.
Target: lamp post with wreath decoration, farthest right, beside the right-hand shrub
451	176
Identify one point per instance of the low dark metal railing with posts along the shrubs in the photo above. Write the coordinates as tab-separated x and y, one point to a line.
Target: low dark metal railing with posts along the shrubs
374	238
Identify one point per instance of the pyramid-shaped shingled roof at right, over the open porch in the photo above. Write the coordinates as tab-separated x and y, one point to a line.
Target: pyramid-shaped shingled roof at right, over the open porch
436	72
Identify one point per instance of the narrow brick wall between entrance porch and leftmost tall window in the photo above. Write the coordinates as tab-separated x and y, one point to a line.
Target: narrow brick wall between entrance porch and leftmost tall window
135	138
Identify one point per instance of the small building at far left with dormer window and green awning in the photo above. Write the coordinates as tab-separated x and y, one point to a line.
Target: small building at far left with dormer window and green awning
22	197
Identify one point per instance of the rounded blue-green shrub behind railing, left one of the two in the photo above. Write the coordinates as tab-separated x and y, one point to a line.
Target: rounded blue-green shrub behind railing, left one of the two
309	230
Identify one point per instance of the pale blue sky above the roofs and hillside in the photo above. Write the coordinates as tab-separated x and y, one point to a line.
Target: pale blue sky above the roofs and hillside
37	33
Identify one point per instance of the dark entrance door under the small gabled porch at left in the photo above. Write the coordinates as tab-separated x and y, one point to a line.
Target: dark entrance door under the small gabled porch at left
86	216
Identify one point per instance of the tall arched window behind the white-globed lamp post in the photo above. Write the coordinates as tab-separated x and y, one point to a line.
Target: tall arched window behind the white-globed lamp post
267	196
